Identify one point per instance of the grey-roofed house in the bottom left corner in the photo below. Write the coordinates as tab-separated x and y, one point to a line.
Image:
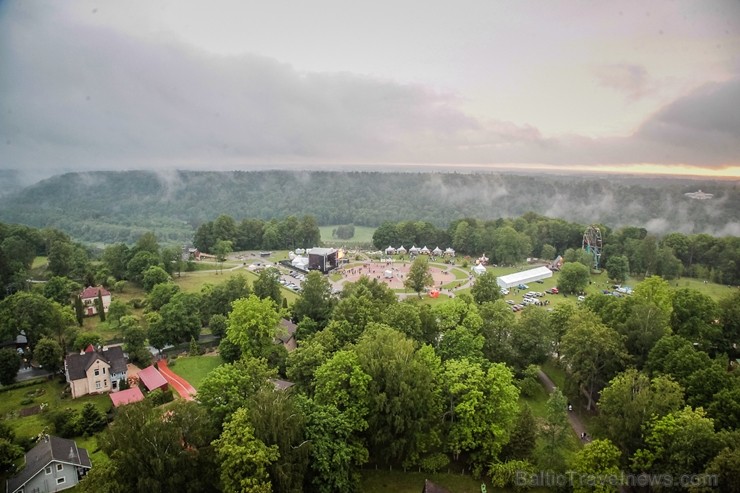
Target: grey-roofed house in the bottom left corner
55	464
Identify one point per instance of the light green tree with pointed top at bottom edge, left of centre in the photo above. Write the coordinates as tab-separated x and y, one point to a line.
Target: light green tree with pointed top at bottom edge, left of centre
245	460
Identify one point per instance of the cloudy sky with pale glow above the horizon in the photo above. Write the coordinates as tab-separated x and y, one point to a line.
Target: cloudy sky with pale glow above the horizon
241	84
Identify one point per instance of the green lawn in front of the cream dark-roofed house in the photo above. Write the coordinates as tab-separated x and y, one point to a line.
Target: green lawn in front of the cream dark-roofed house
45	391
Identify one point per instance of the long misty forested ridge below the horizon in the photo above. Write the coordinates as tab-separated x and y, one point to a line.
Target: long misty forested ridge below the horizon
118	206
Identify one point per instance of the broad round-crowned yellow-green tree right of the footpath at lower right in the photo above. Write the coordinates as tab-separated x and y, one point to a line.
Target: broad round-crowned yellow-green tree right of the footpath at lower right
629	401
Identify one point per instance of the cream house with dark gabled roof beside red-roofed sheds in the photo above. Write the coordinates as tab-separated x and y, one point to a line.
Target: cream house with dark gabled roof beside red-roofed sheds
94	371
